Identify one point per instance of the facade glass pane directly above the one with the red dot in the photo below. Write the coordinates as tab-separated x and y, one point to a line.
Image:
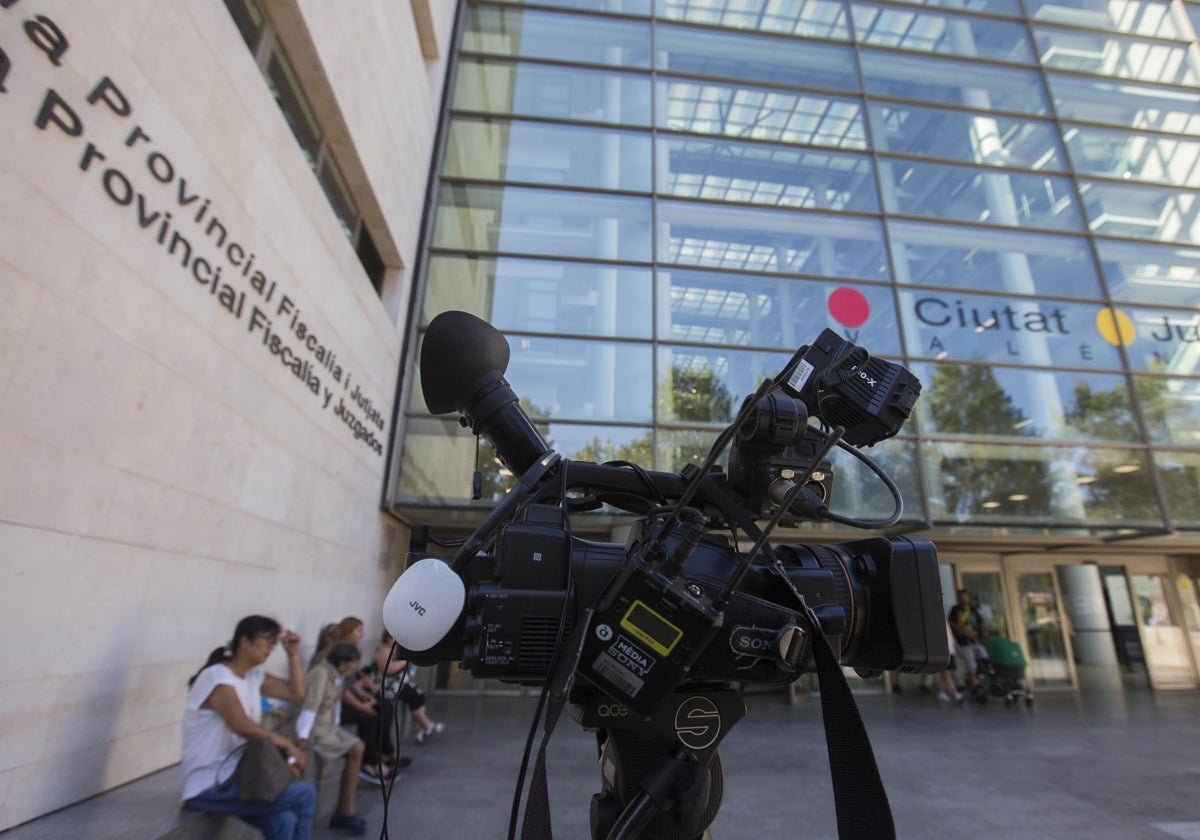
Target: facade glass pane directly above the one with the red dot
771	241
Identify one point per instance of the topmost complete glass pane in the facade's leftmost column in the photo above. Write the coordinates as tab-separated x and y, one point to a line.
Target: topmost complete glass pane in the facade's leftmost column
556	37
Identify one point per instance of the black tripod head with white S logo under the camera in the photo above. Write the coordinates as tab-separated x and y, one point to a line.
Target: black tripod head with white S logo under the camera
662	778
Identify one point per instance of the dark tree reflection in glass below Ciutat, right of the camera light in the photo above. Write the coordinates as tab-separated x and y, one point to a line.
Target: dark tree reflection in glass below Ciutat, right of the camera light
969	400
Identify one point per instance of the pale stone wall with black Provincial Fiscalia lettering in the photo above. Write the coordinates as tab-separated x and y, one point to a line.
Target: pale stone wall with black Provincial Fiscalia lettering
196	375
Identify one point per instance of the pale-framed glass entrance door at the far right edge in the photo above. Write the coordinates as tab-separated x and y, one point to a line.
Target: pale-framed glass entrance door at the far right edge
1165	640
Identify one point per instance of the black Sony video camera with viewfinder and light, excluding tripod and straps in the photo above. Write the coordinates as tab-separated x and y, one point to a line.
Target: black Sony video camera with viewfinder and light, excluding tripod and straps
680	603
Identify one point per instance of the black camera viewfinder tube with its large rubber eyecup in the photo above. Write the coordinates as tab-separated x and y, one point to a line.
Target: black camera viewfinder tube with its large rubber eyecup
464	359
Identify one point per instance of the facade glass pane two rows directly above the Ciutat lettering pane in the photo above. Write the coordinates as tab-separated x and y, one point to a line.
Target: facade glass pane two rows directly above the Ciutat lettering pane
985	196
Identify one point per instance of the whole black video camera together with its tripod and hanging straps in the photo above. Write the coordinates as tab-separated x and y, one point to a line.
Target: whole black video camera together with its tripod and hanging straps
646	643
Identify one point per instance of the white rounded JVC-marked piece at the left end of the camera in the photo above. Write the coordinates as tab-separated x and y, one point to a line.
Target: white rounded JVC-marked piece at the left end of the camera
424	604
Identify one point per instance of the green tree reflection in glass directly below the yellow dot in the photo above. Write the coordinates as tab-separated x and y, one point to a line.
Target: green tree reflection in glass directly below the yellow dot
1109	495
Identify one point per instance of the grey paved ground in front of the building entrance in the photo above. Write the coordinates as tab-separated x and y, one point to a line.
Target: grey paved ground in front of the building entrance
1120	766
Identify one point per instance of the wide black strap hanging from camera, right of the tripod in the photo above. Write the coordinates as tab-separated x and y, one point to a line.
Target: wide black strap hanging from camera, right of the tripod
860	800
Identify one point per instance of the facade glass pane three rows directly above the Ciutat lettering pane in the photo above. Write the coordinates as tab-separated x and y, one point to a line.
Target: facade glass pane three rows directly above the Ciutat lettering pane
965	136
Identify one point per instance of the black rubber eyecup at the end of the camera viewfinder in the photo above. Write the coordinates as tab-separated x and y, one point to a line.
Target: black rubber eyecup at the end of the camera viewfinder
458	352
